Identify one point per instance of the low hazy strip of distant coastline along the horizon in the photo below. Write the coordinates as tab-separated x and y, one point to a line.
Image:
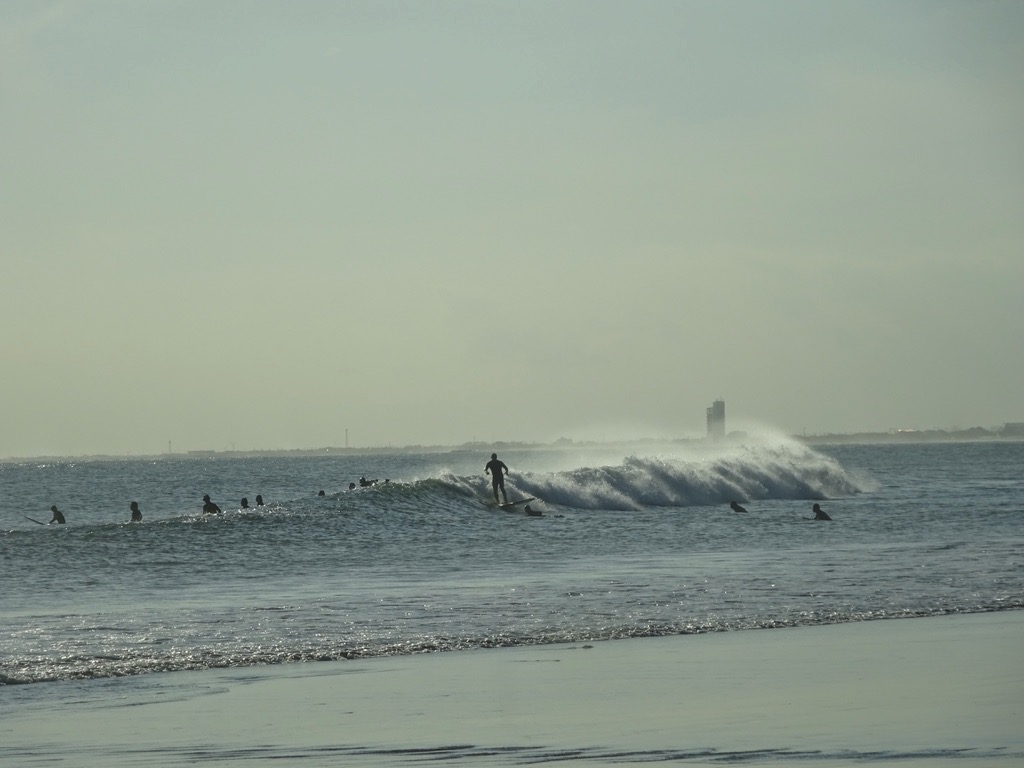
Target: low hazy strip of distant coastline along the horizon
1009	433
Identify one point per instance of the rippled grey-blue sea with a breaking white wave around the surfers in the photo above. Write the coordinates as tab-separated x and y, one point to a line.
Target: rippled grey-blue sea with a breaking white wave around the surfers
632	542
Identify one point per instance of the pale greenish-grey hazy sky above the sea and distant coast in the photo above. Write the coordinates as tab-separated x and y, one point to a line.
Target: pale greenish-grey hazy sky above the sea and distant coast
259	225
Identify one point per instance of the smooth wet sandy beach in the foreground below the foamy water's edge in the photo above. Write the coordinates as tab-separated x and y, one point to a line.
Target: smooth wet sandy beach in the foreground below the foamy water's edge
920	692
